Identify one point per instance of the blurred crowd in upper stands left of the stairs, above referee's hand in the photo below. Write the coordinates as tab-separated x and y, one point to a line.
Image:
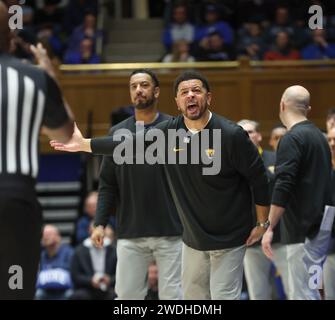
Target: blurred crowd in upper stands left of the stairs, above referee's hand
68	29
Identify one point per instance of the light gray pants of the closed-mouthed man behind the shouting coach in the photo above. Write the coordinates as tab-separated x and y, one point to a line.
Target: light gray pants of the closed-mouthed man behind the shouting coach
133	259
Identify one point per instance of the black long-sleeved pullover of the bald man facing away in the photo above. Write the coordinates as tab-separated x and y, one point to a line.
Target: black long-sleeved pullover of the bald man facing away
302	182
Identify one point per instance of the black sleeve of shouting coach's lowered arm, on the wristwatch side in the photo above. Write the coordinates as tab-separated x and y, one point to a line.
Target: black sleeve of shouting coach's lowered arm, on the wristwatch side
249	164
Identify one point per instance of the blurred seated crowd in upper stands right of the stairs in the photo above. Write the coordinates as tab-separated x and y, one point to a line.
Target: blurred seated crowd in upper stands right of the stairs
261	30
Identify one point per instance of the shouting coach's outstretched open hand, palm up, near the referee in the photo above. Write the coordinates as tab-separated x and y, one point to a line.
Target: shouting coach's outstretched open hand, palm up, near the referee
76	143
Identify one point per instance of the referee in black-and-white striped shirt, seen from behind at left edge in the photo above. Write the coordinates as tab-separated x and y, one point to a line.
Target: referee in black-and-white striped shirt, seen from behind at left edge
29	98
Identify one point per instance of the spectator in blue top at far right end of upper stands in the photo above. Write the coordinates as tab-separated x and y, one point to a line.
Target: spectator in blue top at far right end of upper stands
320	49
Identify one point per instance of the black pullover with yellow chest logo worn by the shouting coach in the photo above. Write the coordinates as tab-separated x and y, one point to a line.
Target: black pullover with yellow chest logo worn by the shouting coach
215	210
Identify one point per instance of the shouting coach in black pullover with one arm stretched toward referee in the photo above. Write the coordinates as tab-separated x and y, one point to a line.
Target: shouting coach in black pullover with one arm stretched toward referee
215	210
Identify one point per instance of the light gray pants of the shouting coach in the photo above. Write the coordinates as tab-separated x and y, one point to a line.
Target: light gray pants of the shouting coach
214	274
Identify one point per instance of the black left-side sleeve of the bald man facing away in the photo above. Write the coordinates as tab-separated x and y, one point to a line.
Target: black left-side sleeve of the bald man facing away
287	168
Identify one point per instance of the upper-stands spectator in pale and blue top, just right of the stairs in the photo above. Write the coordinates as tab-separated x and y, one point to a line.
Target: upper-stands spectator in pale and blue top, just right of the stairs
180	29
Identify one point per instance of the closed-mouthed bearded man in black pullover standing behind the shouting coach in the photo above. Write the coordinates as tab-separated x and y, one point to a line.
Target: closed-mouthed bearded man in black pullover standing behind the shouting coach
147	224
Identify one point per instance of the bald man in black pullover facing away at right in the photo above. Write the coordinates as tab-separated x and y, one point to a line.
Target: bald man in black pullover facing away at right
301	191
